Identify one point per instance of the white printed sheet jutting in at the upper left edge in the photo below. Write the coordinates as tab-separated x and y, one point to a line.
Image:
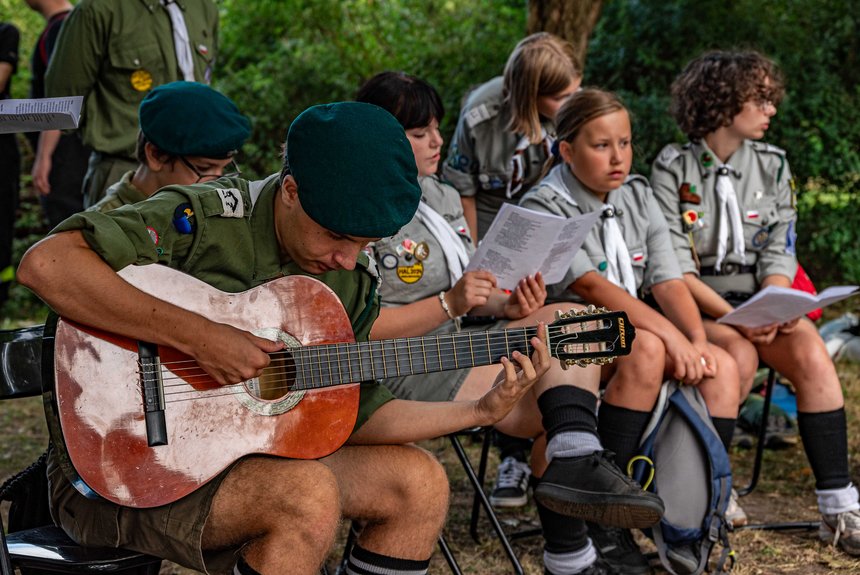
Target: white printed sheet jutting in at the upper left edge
40	114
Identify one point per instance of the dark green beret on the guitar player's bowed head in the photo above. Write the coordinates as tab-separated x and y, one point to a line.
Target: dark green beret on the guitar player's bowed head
354	169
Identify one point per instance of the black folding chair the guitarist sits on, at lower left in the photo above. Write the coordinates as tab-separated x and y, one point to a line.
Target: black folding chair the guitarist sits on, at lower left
48	548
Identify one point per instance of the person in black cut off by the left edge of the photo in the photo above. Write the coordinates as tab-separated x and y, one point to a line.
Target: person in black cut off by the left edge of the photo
10	161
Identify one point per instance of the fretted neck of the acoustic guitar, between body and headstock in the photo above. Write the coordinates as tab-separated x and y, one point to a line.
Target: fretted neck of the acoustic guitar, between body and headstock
326	365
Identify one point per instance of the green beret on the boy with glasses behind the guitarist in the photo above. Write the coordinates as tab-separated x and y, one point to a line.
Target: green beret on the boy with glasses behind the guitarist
191	119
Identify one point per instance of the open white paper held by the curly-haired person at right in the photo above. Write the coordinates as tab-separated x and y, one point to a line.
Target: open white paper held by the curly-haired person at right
779	305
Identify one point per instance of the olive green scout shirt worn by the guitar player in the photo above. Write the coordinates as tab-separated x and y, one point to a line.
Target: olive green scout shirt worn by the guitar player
223	233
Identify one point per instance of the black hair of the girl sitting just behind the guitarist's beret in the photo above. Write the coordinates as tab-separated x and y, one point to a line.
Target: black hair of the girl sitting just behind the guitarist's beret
411	100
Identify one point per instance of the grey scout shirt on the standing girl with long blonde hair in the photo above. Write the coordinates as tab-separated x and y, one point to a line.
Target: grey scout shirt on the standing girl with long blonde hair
480	161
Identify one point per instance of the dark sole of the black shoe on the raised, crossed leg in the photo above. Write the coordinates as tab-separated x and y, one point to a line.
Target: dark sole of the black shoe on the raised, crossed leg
629	512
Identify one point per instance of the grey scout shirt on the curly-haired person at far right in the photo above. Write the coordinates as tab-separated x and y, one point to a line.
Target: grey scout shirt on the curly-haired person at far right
684	181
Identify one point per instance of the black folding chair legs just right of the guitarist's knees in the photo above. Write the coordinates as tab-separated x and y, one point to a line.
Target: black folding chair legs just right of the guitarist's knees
481	501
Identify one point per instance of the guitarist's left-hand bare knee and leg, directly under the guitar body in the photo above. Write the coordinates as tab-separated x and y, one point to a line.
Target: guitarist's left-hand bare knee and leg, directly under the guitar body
284	511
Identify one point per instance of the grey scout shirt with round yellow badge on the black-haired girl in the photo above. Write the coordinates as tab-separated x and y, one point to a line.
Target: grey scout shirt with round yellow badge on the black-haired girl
411	263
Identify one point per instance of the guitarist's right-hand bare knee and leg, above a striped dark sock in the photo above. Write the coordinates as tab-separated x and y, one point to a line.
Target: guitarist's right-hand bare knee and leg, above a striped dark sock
399	492
